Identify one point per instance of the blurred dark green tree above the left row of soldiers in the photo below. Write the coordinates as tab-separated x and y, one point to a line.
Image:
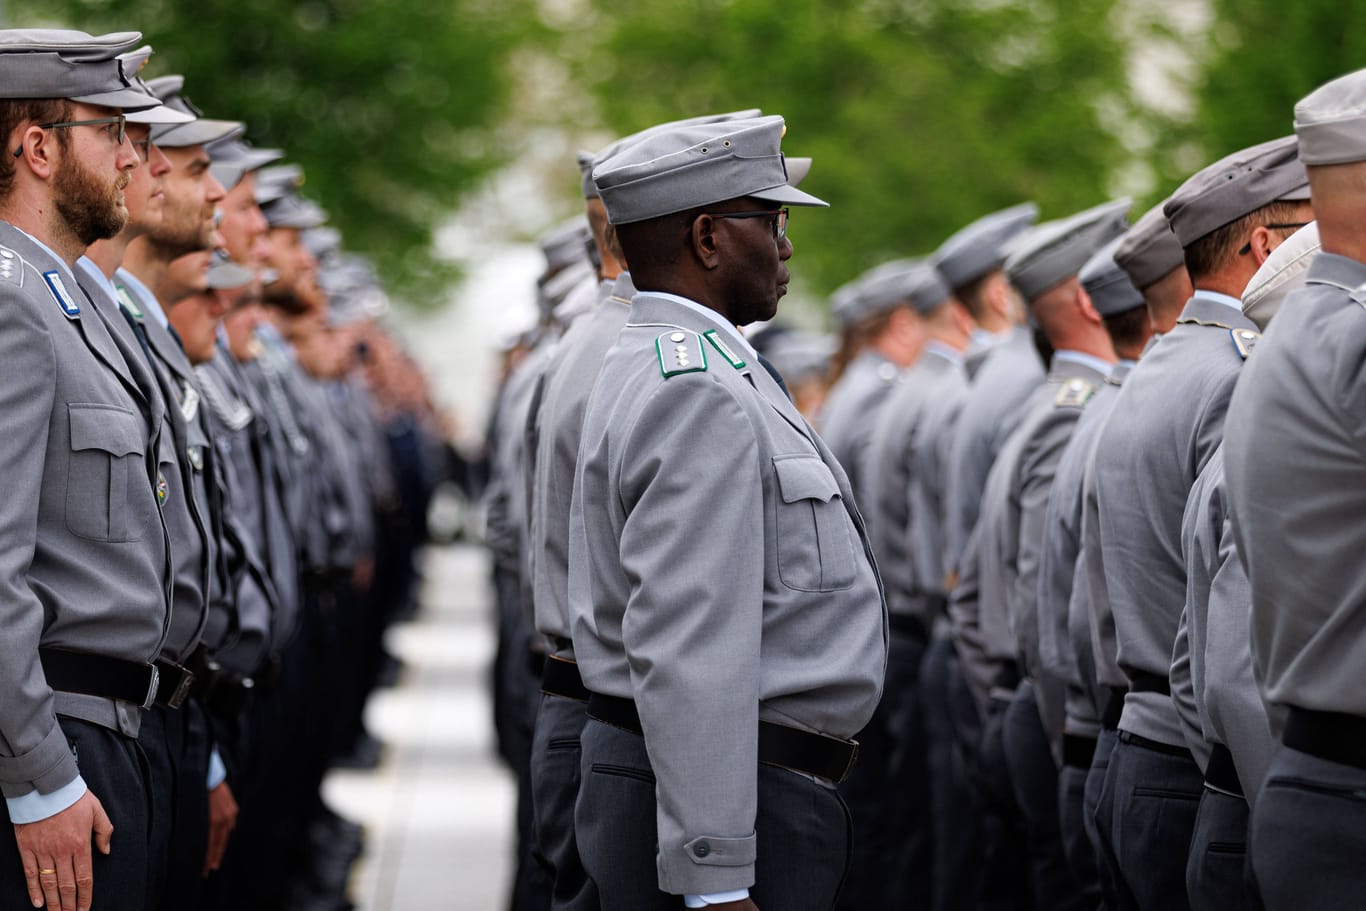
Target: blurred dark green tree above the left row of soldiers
390	106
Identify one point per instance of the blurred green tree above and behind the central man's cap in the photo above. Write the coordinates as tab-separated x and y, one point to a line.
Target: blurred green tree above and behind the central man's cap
921	115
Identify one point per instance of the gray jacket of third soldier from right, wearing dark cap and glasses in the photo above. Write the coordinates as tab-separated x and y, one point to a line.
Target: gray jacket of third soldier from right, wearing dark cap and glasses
1167	423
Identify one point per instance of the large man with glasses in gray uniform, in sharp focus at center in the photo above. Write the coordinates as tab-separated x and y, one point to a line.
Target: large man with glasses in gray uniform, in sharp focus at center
726	611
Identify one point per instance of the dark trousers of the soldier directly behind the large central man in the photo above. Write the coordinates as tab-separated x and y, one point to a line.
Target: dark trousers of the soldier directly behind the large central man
555	787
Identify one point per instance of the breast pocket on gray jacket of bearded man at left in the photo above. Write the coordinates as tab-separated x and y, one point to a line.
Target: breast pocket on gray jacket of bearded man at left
107	480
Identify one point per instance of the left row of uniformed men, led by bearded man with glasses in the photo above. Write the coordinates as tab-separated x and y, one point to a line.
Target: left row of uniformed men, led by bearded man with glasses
219	464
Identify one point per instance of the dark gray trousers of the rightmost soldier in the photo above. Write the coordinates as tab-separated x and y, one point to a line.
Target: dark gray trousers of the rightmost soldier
1309	834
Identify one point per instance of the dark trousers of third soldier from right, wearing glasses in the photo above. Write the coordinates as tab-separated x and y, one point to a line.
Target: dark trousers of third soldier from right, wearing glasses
1156	794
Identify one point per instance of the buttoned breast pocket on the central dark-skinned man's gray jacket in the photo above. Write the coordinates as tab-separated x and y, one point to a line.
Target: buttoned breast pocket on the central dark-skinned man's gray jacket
815	536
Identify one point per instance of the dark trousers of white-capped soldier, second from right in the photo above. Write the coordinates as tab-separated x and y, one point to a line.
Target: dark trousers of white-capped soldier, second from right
1216	875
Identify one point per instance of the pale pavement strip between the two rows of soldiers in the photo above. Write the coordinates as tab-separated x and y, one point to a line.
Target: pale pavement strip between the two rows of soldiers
439	812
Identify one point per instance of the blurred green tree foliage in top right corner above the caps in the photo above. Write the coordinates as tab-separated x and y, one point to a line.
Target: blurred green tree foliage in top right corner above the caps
1257	59
